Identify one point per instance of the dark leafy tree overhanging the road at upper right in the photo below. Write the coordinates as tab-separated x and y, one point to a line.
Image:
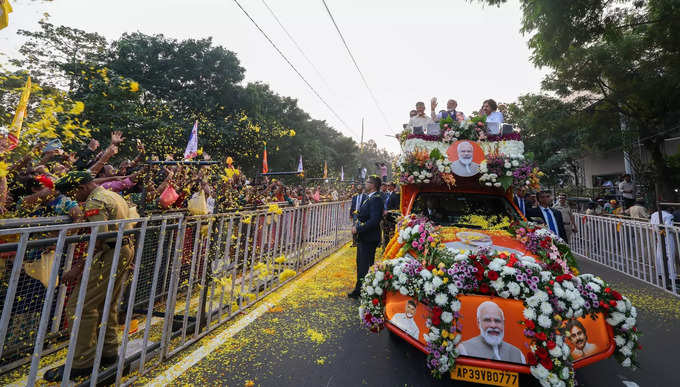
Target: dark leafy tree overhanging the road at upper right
623	55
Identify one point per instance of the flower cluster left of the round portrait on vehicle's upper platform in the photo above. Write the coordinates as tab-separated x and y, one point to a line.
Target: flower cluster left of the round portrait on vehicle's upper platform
421	167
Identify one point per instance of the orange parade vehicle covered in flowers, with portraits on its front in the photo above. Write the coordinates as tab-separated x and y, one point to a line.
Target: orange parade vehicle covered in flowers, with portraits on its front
484	293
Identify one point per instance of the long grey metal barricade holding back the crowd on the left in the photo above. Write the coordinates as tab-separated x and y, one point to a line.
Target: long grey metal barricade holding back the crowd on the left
162	283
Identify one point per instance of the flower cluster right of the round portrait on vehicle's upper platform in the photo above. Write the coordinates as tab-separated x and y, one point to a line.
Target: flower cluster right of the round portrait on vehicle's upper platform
505	171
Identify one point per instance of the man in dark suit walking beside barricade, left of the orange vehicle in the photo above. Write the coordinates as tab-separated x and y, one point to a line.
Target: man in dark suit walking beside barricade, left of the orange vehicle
367	229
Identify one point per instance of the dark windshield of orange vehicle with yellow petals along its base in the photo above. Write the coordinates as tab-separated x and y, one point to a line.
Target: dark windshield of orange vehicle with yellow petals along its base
469	210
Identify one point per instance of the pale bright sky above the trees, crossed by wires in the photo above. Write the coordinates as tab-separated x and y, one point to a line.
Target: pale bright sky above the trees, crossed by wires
408	51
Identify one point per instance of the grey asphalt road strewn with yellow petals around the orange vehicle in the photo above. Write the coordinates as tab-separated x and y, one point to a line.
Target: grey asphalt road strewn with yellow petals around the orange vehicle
314	339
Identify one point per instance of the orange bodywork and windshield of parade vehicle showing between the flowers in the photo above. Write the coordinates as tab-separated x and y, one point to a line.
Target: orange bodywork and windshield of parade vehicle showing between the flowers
455	211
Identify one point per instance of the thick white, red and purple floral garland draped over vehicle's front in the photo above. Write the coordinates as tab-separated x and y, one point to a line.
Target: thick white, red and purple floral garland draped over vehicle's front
436	276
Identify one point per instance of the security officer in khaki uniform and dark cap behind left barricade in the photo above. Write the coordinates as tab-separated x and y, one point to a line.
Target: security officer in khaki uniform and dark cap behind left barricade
100	205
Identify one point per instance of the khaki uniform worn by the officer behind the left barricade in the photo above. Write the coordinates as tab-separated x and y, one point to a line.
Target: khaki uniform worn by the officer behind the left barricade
102	205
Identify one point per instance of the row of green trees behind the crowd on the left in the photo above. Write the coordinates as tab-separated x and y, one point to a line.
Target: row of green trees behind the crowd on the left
153	88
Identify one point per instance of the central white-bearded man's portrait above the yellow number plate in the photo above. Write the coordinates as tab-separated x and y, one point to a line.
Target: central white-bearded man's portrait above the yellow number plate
489	343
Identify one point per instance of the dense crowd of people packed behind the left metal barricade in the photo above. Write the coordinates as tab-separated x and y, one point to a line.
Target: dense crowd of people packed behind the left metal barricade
30	184
